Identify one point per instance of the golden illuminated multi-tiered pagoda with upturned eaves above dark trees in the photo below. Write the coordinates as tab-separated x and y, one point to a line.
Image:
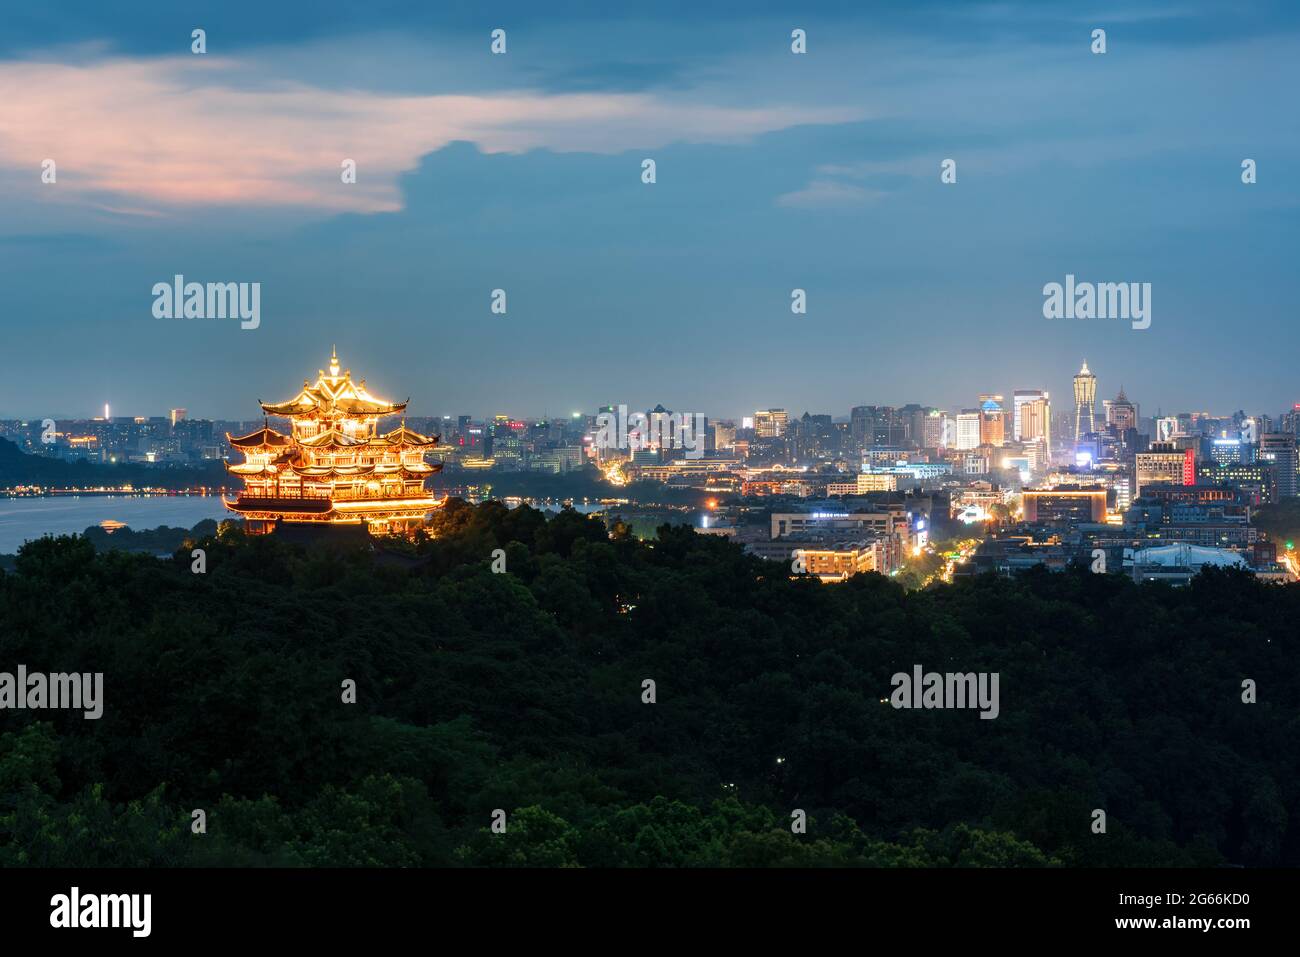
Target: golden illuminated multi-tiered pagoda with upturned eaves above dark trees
335	467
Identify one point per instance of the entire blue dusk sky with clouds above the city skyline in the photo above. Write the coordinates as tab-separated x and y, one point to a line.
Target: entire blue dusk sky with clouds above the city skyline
523	172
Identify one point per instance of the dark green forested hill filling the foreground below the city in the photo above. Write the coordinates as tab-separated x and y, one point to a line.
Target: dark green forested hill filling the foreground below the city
523	691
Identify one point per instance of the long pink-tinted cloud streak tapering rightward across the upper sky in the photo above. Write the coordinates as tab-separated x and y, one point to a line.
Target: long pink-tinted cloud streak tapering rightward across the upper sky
197	132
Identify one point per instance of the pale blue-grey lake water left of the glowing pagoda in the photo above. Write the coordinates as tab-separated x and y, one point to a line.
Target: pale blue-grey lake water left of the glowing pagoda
23	519
